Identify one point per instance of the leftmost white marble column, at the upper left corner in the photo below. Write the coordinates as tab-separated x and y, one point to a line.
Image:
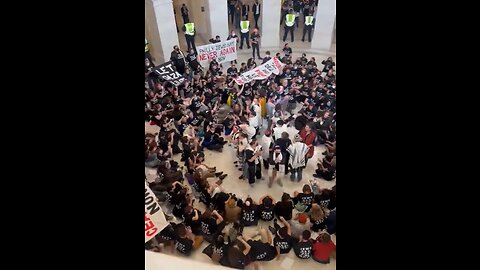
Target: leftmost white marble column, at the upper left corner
160	21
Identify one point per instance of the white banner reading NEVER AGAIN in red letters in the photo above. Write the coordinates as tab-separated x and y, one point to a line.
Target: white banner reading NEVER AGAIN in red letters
221	51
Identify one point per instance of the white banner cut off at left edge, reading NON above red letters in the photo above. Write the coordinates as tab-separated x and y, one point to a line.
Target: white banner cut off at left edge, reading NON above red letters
155	220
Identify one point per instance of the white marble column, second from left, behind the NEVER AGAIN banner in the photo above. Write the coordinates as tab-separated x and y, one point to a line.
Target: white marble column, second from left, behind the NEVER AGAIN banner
217	18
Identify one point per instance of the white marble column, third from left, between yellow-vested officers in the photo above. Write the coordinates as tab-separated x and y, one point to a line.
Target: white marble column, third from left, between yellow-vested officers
270	28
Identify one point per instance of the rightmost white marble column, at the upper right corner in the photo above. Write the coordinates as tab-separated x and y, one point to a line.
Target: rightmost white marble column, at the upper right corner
324	24
